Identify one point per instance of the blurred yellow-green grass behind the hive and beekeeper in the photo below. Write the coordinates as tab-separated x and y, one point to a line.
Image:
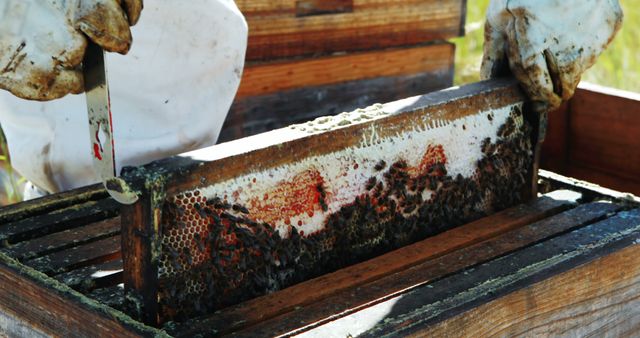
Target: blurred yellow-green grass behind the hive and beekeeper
618	67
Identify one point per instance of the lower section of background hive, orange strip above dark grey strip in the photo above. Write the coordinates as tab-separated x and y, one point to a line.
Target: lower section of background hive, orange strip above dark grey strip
276	95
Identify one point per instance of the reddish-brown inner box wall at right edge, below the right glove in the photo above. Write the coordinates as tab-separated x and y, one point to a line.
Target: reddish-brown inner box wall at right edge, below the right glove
596	138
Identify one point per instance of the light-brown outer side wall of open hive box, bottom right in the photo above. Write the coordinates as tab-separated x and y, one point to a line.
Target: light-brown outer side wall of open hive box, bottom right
598	299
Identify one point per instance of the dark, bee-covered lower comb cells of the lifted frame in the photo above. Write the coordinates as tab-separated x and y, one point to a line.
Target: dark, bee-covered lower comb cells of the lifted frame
214	254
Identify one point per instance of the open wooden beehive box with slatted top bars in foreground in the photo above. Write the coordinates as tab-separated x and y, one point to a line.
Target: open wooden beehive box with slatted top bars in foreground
565	262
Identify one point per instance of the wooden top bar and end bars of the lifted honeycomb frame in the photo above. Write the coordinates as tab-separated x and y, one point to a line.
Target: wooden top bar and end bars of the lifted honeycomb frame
168	180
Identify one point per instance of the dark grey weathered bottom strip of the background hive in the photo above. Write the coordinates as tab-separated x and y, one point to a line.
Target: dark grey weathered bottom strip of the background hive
252	115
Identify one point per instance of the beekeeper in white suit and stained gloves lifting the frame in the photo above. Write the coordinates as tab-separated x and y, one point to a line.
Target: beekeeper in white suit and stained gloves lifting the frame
172	91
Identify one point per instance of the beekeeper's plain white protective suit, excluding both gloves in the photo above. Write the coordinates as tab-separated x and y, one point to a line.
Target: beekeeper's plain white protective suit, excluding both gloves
169	94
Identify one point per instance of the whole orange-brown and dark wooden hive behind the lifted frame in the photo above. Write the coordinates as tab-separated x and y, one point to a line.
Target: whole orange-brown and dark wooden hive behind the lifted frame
310	58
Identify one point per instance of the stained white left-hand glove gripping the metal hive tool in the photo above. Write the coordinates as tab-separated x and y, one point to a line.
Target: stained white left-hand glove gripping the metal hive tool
42	42
